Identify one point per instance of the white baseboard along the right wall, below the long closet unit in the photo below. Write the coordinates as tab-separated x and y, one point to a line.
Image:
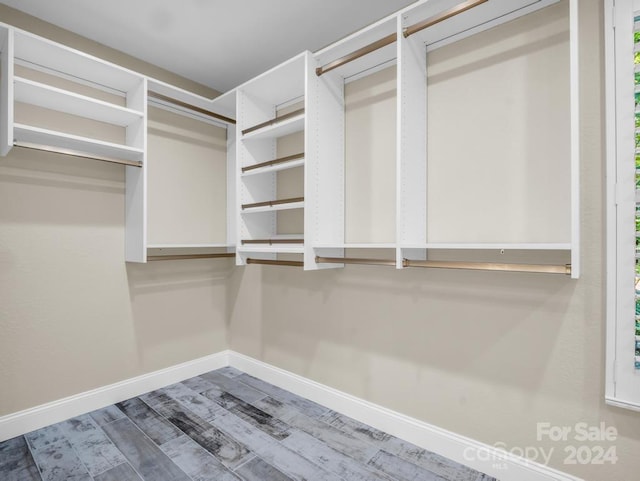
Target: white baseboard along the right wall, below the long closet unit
482	457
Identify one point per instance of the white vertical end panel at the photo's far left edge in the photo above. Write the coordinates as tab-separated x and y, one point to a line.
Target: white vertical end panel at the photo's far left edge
6	90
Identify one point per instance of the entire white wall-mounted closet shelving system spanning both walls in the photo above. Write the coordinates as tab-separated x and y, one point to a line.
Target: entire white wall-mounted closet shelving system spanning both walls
303	96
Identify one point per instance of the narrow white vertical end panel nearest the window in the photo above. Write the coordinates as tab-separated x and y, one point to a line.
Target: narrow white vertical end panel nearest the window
574	46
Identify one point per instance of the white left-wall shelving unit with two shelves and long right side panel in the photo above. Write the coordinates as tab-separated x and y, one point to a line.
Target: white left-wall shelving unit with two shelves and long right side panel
78	72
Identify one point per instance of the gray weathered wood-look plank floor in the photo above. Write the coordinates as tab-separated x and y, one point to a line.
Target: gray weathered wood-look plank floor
225	426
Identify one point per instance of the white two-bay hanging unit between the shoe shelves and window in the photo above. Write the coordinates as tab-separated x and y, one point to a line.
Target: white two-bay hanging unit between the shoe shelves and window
409	53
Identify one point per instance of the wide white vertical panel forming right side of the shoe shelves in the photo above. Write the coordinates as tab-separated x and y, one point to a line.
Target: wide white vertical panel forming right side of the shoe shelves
324	165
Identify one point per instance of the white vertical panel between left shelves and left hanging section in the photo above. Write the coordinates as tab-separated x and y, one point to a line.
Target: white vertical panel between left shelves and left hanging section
136	180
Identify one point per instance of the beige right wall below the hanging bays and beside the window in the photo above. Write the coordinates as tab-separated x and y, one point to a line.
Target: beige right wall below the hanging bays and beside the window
486	355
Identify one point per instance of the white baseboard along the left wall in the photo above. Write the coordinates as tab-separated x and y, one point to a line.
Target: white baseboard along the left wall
35	418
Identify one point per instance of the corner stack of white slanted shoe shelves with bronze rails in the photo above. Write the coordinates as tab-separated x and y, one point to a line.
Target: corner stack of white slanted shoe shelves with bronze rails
271	114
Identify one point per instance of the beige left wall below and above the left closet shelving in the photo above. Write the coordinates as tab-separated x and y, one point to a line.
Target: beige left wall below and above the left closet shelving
73	315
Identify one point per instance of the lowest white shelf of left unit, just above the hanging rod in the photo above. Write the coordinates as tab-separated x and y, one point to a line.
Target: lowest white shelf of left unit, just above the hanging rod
51	138
